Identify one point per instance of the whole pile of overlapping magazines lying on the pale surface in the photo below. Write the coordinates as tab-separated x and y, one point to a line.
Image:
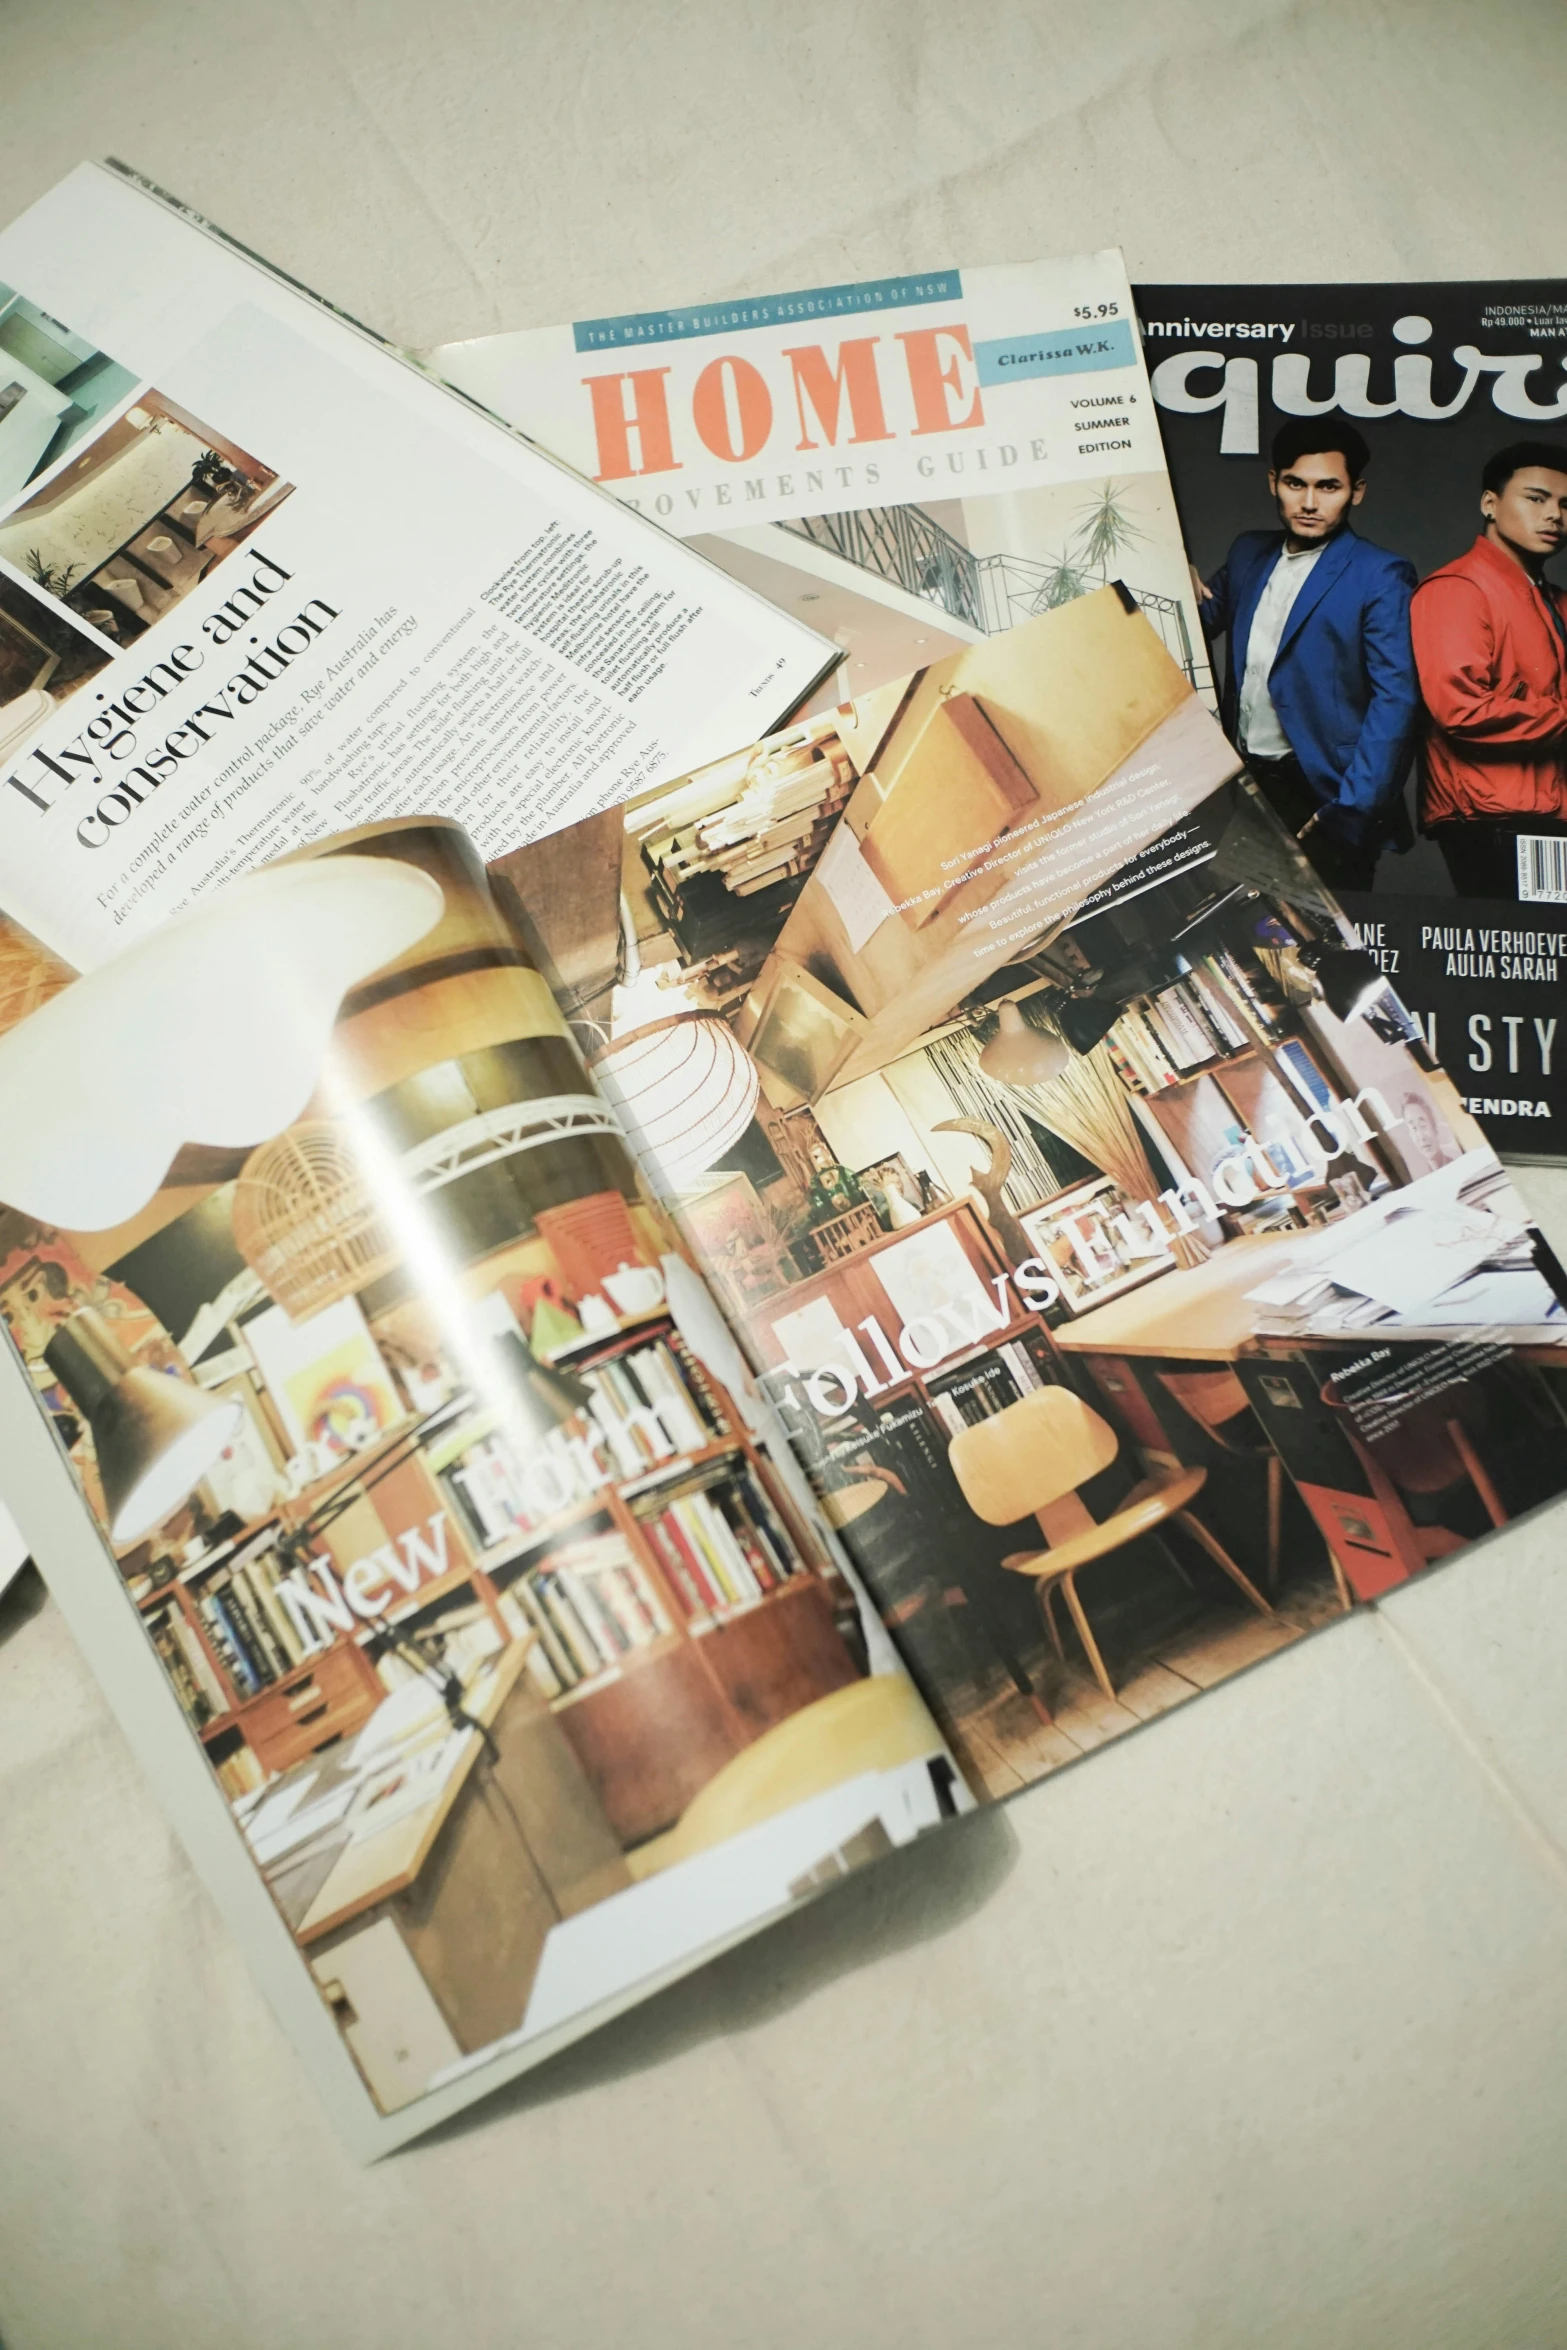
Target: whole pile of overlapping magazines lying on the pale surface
701	1150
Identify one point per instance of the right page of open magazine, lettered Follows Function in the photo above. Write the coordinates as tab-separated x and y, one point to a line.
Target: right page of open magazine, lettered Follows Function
1127	1270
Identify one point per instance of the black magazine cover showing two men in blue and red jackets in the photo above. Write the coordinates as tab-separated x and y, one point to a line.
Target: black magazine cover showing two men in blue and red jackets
1418	692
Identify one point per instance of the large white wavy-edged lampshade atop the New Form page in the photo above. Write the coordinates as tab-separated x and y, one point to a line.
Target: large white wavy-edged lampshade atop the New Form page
210	1030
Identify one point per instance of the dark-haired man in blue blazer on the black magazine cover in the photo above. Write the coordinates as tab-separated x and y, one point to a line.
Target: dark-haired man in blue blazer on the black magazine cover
1321	694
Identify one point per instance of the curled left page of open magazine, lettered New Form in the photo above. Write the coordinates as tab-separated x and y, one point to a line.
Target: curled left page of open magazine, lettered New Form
408	1489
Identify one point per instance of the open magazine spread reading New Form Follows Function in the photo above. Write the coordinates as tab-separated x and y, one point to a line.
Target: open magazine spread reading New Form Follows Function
614	1392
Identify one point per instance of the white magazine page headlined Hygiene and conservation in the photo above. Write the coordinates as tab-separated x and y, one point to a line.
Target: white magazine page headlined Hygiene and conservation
262	579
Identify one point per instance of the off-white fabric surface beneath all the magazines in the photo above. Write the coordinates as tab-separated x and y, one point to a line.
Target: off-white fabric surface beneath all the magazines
1253	2032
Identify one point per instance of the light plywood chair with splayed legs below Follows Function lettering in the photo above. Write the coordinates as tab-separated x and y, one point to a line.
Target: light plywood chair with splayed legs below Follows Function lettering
1030	1461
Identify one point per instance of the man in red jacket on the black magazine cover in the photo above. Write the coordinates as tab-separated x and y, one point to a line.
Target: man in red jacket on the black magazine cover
1491	650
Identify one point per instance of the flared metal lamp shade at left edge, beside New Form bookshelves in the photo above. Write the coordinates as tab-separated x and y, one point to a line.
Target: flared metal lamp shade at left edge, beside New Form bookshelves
154	1437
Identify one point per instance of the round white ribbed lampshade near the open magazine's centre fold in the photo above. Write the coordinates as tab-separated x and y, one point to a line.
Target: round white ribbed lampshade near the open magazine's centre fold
685	1094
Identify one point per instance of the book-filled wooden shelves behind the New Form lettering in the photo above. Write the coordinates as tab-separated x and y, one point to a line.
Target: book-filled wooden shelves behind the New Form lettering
680	1531
